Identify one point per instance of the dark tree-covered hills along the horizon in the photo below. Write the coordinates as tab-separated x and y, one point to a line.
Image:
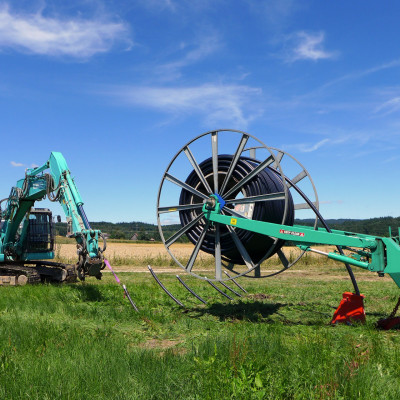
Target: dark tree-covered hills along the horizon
144	231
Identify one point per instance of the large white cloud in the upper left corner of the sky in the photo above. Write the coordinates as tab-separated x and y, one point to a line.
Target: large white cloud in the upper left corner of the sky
38	34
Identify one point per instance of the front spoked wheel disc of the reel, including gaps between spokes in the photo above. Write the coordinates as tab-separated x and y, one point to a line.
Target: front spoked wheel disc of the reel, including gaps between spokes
246	188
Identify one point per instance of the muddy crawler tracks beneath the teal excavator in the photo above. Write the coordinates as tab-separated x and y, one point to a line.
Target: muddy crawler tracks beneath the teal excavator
19	274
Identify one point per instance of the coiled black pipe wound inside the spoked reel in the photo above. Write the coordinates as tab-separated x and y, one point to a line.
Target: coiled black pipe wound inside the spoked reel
265	182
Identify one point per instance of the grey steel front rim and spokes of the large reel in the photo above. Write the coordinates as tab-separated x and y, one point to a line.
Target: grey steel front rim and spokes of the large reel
214	148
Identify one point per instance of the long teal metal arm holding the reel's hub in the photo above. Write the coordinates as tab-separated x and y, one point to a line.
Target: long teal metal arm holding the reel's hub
373	253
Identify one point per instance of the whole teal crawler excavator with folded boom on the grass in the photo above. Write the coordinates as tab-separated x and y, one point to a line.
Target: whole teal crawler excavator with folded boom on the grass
27	234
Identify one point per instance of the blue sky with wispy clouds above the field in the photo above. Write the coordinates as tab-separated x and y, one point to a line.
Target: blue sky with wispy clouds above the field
118	87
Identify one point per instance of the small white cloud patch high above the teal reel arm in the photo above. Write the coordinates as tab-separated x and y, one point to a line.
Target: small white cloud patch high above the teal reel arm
307	46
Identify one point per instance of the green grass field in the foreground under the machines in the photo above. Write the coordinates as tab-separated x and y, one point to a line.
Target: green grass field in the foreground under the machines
84	341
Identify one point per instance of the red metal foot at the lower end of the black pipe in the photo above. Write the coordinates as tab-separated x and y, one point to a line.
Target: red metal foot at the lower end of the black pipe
350	309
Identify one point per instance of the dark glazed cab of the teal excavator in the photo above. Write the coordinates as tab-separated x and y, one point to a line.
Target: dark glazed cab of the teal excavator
40	231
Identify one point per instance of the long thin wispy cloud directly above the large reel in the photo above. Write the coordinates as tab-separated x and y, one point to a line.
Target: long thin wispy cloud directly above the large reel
215	103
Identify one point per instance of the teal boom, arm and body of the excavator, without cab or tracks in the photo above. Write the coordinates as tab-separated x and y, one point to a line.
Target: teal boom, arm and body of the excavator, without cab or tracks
22	198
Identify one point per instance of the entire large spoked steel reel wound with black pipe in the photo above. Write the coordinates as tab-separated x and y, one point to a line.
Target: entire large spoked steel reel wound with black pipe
258	187
